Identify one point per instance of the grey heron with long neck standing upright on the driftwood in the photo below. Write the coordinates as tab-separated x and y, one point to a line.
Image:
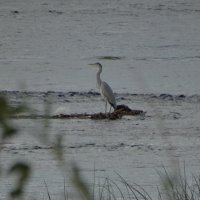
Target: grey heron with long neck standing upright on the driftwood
105	89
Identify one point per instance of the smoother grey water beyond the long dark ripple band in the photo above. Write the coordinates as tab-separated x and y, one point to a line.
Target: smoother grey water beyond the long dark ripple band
144	46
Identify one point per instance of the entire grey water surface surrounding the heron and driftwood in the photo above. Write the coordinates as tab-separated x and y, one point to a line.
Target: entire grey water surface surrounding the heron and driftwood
150	52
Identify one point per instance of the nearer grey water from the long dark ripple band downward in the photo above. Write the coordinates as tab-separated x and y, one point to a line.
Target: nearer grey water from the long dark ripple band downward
134	147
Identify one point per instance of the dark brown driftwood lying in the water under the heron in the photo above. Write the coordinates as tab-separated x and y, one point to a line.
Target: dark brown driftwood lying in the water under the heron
120	111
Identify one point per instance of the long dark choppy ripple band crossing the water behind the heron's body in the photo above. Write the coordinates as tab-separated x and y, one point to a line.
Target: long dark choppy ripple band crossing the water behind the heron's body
55	96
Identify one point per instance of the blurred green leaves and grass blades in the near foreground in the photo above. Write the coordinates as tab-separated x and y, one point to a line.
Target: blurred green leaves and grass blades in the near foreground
173	186
